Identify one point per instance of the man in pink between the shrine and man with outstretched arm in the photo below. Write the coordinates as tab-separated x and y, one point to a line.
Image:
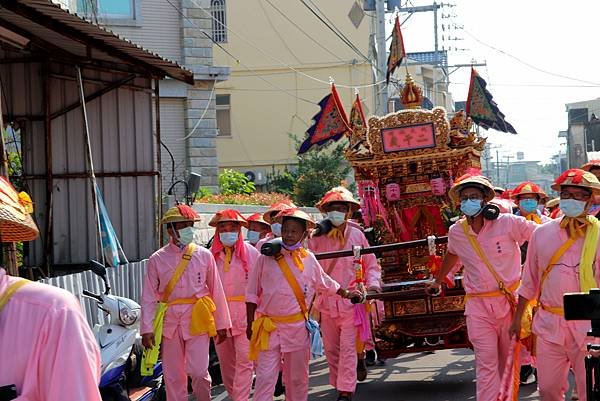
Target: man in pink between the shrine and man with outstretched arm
338	324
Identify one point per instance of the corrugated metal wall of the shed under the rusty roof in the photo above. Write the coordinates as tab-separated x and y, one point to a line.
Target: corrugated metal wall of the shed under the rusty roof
122	141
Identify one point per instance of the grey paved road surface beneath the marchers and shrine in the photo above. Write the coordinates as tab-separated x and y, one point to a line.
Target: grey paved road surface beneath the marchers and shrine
440	376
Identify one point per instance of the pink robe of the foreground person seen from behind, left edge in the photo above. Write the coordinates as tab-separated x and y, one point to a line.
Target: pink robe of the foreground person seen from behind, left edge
47	349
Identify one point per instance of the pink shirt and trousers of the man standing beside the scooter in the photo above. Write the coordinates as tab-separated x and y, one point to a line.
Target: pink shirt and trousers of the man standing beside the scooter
182	353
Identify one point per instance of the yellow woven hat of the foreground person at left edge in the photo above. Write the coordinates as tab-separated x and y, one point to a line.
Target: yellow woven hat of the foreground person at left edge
16	224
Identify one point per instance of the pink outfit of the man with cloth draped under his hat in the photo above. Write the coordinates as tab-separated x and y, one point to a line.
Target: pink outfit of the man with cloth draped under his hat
236	368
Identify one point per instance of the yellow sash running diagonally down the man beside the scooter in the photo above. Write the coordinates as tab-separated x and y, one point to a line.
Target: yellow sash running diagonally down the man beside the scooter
150	355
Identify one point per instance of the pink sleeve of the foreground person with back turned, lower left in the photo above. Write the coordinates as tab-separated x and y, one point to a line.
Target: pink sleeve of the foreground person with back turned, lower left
69	363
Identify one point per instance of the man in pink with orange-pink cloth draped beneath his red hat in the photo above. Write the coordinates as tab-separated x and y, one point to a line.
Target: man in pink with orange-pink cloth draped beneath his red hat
235	259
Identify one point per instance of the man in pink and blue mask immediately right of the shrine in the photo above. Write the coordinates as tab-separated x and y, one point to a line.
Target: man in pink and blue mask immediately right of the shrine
487	309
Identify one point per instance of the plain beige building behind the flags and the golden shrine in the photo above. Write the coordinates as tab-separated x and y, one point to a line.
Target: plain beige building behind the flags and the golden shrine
281	56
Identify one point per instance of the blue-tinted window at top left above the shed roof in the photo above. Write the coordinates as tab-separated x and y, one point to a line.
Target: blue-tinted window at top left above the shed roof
110	11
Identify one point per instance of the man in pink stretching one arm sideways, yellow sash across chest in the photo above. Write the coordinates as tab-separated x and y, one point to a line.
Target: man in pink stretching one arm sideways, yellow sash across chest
271	297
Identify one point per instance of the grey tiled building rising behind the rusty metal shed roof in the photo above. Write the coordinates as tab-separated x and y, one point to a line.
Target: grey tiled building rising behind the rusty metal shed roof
178	30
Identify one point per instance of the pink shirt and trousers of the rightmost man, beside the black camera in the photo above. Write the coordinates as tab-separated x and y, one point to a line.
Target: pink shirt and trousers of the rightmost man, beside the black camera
560	343
